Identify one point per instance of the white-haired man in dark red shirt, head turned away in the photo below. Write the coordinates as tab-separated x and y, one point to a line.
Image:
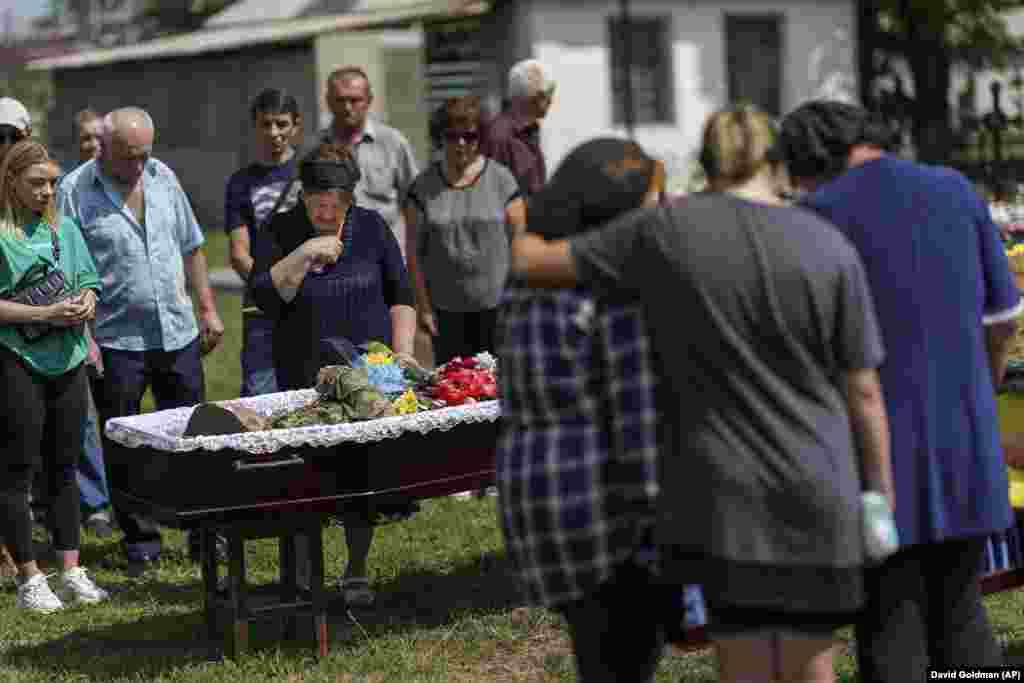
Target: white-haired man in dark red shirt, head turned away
514	138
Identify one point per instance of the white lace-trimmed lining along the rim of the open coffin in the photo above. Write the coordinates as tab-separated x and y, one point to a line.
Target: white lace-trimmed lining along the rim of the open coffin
162	431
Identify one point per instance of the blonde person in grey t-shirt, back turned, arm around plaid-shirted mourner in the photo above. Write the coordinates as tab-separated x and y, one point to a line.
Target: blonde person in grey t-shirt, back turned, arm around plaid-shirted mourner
765	335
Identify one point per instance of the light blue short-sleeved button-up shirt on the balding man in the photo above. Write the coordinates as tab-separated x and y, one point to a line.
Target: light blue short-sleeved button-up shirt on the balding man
146	306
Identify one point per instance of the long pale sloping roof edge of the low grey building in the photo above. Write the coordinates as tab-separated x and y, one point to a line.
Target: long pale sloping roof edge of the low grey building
238	37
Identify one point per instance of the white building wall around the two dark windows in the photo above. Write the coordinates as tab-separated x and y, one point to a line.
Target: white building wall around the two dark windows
819	42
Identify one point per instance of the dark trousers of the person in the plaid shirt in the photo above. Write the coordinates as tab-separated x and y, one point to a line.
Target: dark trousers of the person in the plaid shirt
619	631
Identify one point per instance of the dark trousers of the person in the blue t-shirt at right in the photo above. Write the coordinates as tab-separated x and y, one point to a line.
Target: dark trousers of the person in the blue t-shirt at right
924	610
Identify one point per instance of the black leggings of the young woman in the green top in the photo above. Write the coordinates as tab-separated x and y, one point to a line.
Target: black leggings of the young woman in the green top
41	428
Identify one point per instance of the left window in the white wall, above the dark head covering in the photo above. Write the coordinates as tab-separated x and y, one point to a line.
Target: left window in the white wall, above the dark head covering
642	50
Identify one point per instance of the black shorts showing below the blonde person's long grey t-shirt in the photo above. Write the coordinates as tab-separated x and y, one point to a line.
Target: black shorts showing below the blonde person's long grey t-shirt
727	623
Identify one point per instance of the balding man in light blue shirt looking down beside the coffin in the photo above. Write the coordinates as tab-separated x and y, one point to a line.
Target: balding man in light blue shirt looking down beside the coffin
146	242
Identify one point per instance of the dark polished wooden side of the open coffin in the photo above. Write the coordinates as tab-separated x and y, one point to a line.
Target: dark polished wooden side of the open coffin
182	489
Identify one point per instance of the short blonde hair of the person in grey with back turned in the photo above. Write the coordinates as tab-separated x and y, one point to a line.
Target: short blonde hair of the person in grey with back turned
738	144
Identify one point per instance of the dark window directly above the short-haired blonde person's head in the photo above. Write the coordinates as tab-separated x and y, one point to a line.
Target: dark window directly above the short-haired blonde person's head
754	61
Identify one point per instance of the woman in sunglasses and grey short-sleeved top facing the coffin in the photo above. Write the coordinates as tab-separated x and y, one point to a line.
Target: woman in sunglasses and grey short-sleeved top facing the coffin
461	215
